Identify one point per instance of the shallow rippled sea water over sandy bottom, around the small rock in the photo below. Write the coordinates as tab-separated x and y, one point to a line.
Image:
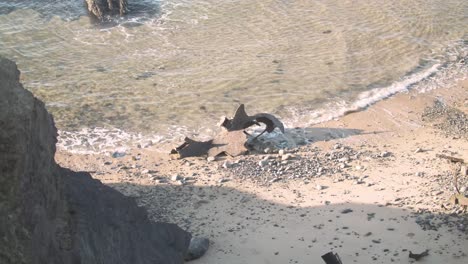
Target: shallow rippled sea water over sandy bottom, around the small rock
177	68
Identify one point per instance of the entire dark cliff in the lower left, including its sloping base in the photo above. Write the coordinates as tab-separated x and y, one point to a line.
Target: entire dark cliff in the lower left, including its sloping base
53	215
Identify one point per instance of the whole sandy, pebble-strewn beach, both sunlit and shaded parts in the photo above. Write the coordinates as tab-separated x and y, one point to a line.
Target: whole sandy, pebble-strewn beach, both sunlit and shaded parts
377	196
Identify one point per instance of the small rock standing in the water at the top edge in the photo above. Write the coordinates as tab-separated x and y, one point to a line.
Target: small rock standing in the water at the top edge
103	8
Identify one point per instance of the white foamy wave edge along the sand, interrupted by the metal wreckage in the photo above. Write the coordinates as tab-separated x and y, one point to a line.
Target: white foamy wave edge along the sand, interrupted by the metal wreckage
102	140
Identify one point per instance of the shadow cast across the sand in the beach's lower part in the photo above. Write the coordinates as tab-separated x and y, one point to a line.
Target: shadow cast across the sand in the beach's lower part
245	228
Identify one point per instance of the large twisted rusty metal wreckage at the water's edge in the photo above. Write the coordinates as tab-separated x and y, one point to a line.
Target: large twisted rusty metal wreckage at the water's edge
232	139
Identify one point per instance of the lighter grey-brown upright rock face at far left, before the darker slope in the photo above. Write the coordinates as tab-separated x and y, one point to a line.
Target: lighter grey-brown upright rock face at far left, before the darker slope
30	188
